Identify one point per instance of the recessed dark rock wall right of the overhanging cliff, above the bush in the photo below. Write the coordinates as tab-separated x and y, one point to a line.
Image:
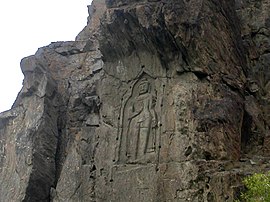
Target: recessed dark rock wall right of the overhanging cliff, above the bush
254	18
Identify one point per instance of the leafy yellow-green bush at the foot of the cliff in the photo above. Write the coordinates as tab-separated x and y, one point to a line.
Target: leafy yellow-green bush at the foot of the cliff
258	188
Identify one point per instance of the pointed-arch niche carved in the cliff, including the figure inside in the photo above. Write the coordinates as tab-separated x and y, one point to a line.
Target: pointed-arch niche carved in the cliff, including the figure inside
138	127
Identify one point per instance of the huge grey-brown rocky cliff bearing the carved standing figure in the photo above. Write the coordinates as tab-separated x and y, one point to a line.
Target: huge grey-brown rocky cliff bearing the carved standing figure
153	101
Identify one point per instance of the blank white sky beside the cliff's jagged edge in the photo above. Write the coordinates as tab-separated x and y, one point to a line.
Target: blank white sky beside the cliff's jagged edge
27	25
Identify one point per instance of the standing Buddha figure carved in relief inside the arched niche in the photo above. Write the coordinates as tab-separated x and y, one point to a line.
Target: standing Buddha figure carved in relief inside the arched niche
142	121
